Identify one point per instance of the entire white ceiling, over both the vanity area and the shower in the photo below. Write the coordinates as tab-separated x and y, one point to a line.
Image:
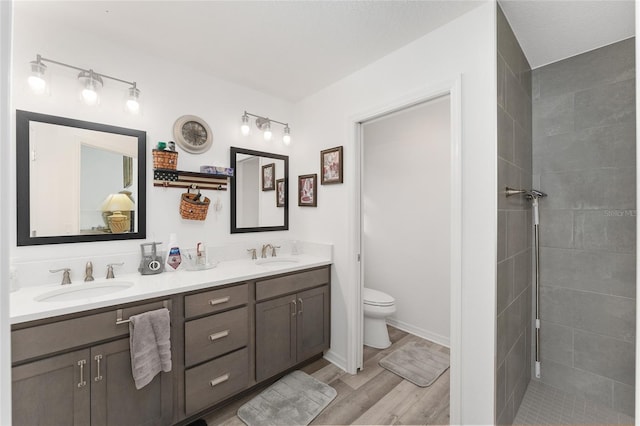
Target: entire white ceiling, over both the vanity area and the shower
292	49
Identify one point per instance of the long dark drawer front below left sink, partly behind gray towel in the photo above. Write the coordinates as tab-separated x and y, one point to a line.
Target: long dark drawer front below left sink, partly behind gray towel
32	342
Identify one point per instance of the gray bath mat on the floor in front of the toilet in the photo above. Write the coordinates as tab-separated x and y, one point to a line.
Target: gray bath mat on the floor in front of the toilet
417	363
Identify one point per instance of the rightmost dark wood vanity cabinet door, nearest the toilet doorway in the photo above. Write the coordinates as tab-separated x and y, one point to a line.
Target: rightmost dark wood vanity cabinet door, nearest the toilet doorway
313	322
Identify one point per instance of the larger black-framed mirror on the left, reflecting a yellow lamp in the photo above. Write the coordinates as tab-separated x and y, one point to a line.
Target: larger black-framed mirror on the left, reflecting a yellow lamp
78	181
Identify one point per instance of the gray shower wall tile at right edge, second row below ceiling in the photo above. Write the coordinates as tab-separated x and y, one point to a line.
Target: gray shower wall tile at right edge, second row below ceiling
604	105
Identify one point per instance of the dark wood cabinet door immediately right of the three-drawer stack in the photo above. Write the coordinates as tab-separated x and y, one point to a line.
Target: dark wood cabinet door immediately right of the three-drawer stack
275	336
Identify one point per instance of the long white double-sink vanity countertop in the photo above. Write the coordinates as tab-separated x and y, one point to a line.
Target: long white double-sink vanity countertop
25	308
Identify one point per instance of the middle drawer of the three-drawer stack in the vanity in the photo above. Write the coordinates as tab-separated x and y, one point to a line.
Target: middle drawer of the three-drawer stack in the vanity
211	336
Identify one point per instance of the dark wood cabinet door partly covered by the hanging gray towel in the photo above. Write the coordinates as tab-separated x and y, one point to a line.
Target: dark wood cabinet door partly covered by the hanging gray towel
115	401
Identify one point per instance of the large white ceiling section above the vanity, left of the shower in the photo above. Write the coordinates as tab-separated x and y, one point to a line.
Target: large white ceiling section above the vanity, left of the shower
289	49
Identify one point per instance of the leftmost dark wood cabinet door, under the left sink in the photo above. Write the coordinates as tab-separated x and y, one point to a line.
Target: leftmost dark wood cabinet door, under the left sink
54	391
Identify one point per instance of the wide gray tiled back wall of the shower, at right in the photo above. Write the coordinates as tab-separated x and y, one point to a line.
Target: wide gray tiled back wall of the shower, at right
584	159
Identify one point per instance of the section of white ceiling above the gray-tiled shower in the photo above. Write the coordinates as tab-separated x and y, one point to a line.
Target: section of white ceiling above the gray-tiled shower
551	30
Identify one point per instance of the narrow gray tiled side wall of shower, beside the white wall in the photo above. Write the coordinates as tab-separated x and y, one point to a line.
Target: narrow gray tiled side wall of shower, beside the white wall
514	225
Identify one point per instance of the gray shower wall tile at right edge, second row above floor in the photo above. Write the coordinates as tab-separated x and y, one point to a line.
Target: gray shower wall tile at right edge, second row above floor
605	356
